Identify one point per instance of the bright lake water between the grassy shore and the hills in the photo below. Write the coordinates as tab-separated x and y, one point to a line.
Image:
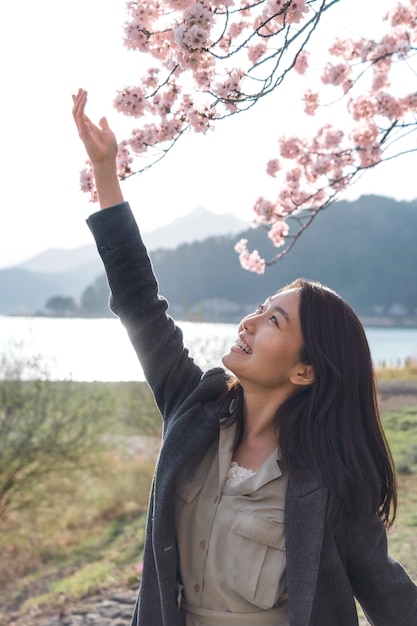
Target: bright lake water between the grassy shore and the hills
99	349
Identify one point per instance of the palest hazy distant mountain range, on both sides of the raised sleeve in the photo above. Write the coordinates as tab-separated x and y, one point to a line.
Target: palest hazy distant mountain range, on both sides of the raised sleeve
26	287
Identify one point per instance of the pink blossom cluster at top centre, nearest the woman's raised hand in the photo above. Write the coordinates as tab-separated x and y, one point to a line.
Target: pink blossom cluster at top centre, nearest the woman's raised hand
204	61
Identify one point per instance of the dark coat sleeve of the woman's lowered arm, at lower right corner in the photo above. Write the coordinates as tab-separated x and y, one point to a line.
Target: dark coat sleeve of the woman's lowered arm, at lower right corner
383	588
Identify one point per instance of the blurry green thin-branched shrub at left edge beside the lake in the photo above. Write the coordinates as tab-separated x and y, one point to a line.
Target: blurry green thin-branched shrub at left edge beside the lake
45	426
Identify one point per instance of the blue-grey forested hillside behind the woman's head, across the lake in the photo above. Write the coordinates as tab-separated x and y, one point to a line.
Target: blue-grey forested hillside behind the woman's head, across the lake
366	250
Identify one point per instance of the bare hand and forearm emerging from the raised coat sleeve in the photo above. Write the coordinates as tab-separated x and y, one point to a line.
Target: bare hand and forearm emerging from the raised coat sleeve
101	146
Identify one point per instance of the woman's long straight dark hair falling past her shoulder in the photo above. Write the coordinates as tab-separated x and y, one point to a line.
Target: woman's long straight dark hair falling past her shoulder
333	426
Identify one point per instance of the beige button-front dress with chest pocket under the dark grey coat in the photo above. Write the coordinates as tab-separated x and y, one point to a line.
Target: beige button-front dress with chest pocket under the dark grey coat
231	540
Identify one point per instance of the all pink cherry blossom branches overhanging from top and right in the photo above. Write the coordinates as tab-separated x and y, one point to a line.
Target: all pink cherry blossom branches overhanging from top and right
203	62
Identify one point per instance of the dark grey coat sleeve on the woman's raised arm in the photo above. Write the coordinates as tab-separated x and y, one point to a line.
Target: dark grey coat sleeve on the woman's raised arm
169	370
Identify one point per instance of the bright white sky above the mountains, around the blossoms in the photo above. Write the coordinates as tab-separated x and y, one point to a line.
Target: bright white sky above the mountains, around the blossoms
48	49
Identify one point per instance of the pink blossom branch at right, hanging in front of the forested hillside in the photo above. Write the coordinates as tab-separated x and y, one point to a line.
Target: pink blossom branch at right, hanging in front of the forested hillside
311	171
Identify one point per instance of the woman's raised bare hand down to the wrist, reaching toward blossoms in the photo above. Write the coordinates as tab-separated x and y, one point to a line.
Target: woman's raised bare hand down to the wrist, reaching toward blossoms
100	142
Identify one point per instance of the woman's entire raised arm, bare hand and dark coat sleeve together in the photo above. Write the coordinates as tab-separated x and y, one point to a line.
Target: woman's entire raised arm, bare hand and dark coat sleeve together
158	342
